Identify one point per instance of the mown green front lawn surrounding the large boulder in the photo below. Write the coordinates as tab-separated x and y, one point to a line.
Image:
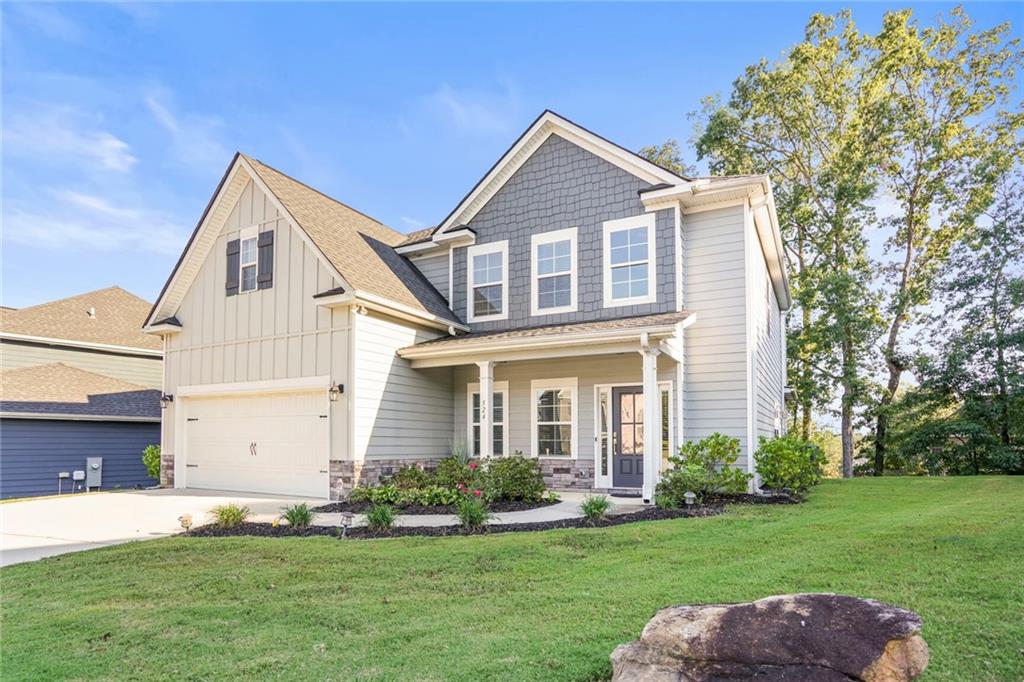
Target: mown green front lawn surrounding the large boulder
532	607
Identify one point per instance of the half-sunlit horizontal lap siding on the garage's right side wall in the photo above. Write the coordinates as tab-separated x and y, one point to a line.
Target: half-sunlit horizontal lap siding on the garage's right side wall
399	412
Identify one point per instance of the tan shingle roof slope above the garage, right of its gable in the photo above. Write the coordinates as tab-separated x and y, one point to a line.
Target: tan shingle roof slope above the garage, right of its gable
361	248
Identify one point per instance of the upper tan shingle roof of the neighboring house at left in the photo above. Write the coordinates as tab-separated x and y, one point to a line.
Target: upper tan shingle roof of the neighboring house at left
109	317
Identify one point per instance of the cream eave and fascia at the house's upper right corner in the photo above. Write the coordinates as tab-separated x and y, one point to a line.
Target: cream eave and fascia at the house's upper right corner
753	191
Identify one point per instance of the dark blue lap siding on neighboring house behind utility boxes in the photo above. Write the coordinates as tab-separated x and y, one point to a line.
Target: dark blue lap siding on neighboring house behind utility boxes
34	451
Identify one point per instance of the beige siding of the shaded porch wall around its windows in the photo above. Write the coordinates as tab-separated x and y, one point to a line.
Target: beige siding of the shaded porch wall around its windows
626	369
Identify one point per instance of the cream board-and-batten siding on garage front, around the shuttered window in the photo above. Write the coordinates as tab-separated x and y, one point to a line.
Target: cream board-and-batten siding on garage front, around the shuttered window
269	334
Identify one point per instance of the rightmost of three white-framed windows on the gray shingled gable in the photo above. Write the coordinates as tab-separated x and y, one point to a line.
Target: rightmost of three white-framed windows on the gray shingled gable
629	262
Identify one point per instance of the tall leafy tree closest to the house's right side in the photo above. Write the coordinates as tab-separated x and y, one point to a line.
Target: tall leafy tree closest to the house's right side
816	122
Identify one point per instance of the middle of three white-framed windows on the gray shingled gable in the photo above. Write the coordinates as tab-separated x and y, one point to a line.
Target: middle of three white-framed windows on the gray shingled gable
553	264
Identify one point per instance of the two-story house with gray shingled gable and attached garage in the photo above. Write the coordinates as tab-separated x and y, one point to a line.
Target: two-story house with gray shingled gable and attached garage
605	309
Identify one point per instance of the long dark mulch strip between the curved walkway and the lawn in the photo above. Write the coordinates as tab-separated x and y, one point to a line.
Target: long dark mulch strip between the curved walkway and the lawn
362	533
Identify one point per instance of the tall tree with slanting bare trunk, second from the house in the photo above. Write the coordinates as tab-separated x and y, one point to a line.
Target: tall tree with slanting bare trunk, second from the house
946	149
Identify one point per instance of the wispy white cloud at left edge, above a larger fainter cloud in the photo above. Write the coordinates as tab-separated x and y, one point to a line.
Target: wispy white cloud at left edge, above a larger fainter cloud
64	133
